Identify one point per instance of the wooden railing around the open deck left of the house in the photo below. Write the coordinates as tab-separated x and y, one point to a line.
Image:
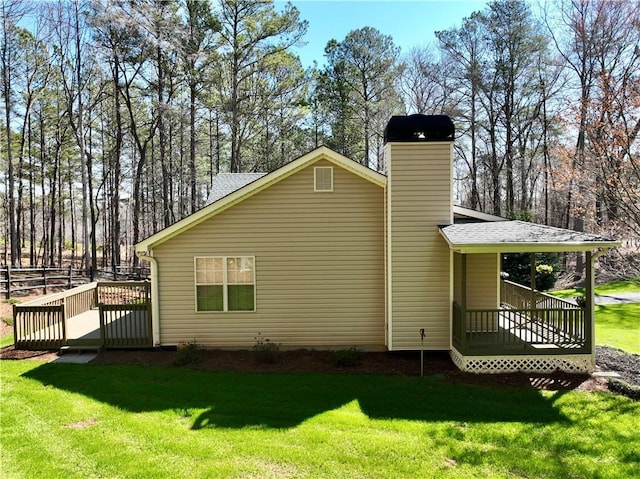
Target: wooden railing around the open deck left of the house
44	323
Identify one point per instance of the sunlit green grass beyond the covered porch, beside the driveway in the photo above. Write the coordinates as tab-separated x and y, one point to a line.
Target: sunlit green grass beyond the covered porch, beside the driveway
617	325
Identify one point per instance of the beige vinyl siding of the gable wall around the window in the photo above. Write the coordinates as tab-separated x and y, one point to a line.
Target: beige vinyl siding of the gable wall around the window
319	267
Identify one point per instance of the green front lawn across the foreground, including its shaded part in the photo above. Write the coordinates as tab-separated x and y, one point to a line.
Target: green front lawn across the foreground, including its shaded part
129	421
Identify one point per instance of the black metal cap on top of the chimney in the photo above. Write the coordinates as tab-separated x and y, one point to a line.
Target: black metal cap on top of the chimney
419	128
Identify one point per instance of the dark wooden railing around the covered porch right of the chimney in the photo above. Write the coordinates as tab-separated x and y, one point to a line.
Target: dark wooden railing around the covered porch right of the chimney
529	322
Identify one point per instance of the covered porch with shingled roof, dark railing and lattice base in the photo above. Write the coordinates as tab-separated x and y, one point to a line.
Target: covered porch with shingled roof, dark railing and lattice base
500	326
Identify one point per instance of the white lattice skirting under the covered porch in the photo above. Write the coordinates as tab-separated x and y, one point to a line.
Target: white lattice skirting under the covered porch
581	363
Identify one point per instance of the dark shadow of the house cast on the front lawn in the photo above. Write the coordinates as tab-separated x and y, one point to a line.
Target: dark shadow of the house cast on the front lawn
239	400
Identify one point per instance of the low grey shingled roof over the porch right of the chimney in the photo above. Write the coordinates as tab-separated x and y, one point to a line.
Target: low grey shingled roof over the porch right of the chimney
519	237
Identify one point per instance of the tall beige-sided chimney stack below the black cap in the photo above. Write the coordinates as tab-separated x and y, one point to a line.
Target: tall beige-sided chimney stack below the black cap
418	201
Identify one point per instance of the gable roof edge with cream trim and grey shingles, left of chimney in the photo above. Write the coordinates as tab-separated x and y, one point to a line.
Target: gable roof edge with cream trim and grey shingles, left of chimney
248	185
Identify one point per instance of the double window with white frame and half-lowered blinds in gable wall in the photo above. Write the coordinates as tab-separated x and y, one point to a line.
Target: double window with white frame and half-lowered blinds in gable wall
225	283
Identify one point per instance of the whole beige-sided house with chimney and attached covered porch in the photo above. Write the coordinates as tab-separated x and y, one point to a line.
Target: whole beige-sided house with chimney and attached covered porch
326	253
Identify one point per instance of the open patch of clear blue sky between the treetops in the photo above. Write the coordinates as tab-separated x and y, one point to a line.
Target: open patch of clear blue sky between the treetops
409	22
